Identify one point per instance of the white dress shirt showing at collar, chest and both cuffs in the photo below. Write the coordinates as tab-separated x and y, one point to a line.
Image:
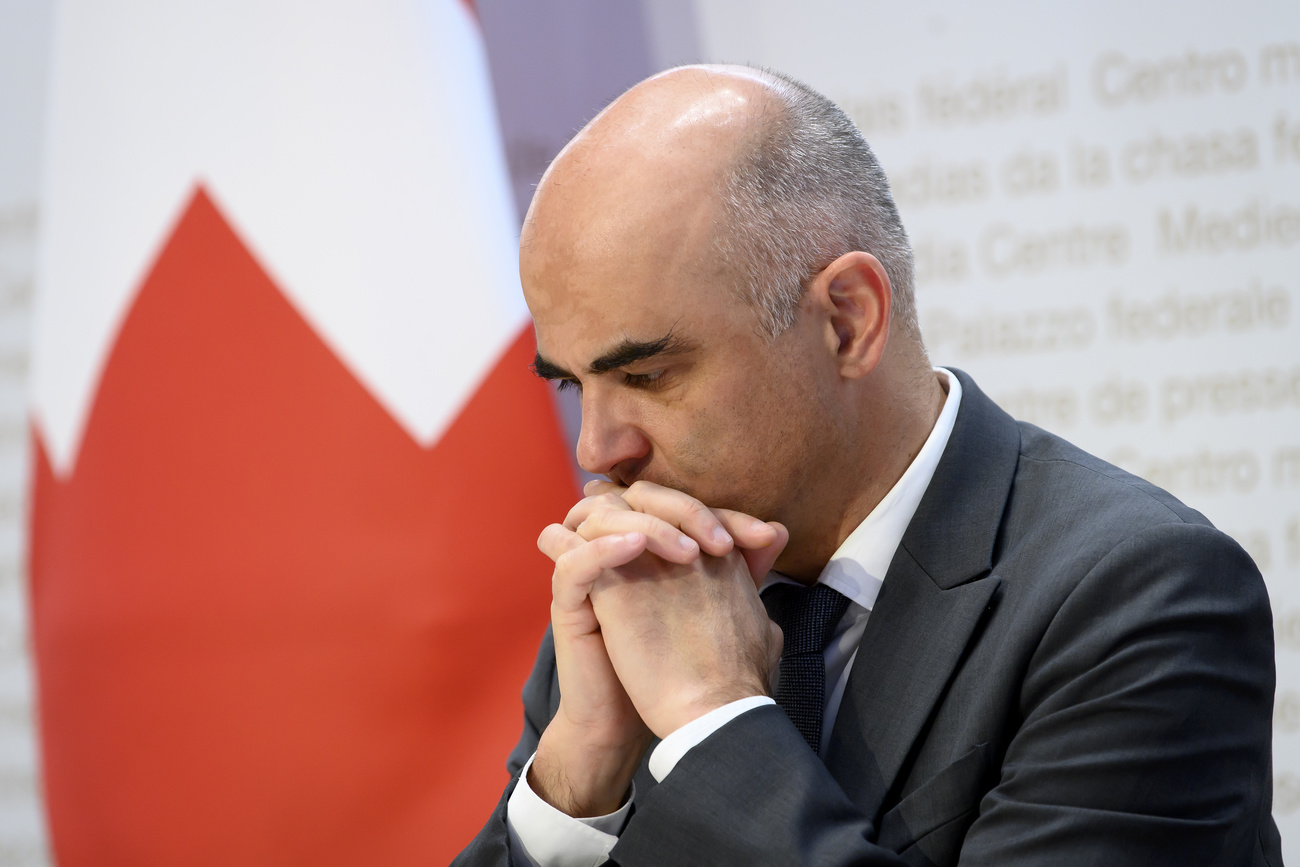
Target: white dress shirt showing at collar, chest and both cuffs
543	836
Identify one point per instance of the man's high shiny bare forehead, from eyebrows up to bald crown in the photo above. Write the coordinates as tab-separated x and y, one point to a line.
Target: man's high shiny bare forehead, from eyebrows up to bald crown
621	244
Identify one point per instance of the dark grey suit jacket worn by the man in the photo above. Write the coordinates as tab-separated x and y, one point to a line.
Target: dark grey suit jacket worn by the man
1065	666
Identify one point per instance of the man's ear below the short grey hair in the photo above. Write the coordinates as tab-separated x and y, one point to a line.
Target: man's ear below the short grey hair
855	293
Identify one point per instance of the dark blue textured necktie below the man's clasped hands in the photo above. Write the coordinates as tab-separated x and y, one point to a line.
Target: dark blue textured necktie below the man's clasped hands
807	618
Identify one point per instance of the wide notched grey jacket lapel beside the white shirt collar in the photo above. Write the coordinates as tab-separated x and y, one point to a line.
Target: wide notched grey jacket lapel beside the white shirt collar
934	597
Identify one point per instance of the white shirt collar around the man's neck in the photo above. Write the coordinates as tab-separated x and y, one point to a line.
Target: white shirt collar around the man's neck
859	567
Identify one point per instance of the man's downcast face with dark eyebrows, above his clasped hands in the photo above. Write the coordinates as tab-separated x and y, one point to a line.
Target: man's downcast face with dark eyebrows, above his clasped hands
678	385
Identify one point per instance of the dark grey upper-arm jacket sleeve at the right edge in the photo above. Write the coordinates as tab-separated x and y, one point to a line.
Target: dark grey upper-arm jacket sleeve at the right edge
1146	717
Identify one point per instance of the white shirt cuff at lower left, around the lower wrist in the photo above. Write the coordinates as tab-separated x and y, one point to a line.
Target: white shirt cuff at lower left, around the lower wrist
543	836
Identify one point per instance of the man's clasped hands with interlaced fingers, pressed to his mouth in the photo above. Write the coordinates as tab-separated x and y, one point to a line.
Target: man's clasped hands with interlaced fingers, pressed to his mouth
657	622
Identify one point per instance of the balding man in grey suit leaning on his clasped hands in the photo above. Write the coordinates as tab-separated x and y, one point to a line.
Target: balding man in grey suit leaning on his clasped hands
1012	654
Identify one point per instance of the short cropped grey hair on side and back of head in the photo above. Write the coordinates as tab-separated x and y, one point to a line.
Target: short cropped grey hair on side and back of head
804	190
